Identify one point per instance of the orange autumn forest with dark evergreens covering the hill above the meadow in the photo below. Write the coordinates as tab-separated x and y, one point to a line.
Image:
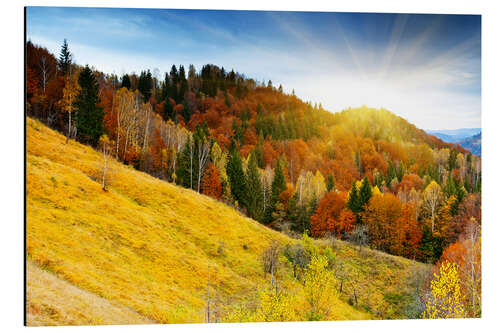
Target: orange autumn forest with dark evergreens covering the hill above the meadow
363	175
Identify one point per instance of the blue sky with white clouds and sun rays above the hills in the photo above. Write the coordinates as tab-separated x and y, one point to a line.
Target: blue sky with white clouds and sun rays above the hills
424	68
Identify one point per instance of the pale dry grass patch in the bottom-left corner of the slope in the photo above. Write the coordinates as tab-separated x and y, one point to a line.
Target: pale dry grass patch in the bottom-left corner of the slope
52	301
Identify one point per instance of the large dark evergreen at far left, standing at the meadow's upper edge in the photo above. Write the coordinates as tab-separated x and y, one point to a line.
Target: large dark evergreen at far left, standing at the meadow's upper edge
89	115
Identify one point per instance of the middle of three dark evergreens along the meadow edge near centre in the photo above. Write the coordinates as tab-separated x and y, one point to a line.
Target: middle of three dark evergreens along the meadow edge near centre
255	197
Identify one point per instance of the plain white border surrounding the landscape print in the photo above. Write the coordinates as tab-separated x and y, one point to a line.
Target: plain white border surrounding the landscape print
11	80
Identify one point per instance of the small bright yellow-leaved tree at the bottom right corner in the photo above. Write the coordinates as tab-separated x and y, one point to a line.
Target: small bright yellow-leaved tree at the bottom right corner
445	297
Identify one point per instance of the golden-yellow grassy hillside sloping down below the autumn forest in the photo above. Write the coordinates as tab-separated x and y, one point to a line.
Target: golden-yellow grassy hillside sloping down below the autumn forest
149	246
